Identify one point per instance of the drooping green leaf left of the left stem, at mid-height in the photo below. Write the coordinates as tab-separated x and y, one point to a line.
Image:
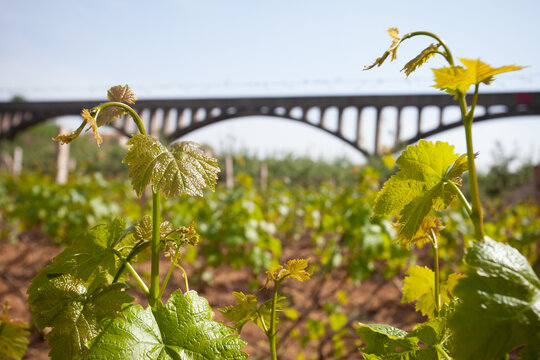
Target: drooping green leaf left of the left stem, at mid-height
92	257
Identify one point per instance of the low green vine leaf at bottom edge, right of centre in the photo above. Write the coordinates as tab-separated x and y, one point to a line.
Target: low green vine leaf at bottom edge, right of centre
385	342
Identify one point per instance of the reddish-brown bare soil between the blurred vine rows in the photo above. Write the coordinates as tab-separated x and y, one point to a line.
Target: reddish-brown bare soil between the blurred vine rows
374	301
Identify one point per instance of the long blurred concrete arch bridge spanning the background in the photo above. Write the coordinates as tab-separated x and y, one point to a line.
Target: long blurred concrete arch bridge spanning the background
340	116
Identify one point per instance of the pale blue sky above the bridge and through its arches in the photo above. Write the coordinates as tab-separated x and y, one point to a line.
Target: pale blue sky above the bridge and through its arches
60	50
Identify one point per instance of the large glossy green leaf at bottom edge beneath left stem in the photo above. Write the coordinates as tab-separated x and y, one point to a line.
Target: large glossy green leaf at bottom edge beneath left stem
182	329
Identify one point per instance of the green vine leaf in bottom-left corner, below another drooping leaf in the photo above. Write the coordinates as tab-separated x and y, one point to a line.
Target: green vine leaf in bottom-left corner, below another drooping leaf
75	313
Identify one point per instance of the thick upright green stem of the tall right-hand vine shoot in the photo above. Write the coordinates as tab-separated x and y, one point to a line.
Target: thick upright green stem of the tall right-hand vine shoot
476	215
